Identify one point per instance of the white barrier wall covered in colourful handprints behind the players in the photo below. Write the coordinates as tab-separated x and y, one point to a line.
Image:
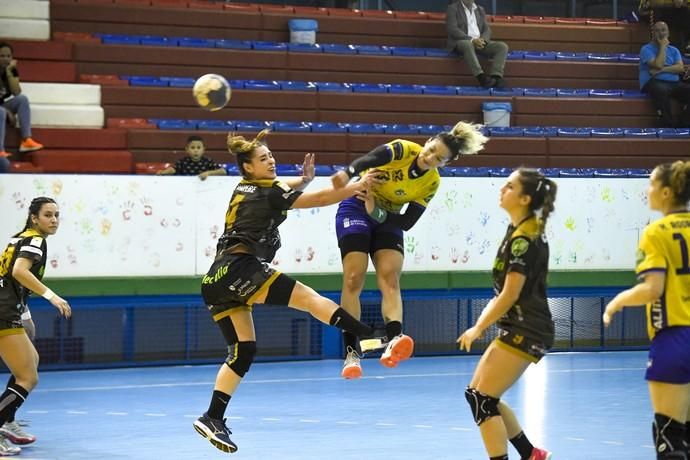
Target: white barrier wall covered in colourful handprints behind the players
165	226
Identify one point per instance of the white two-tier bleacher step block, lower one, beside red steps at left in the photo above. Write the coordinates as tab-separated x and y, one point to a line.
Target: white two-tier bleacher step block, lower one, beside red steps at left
65	105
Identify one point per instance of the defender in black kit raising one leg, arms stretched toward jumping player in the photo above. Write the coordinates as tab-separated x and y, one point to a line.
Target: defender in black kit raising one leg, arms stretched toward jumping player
240	276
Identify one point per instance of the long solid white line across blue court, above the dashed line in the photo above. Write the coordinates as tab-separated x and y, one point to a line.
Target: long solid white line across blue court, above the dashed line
313	379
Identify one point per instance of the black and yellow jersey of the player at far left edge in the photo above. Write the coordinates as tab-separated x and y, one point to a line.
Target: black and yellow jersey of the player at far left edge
28	244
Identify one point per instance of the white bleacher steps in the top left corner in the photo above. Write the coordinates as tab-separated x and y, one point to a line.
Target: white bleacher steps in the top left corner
25	19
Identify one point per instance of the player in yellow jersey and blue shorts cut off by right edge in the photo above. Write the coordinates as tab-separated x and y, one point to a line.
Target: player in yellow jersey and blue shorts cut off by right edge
663	269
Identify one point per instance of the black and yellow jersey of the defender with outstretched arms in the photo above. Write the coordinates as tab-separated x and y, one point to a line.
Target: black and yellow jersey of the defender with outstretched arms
255	211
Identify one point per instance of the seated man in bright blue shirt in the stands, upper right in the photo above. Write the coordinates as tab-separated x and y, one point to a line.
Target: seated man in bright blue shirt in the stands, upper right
661	68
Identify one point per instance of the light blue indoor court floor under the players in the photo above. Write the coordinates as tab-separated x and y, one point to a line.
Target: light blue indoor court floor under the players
579	405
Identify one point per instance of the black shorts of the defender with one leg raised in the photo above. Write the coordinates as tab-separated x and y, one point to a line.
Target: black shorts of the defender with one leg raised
236	280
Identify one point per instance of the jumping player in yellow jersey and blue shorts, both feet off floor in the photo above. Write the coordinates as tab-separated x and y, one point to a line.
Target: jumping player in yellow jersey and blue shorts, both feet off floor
373	226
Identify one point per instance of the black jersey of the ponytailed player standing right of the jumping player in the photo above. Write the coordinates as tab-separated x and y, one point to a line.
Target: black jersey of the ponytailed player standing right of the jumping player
525	250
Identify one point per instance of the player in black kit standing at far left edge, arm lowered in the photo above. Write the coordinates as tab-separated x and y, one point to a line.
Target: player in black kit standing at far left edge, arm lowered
22	265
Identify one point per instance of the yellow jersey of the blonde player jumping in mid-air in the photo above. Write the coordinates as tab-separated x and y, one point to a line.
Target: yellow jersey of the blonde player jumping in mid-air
402	182
